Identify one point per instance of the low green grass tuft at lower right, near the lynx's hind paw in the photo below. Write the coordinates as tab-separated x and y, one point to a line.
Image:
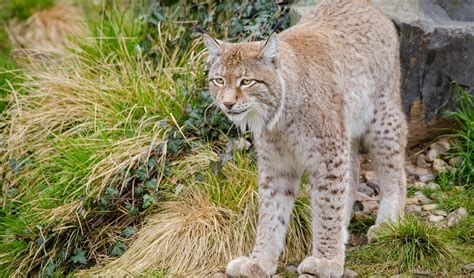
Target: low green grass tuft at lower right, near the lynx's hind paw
404	246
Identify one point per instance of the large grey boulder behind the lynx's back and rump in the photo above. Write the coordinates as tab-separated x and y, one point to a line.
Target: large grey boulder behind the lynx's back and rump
437	49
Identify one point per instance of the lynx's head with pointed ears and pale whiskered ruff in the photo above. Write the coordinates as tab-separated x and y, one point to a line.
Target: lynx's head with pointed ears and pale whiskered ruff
245	82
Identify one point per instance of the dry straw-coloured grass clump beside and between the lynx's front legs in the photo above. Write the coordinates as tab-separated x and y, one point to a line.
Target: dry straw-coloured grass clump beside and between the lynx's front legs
210	221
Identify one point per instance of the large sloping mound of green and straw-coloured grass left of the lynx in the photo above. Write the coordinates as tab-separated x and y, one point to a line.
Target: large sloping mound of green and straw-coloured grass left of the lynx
86	141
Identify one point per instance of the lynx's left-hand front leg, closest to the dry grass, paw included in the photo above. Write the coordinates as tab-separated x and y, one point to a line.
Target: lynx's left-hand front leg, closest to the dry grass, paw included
277	193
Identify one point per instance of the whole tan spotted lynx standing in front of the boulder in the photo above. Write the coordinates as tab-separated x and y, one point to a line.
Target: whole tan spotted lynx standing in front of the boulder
311	95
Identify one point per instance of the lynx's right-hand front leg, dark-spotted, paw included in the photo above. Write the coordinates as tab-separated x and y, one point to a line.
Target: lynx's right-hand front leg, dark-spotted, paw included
329	192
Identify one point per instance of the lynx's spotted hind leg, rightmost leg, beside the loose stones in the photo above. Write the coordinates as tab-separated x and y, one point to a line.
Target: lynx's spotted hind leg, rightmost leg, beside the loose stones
386	142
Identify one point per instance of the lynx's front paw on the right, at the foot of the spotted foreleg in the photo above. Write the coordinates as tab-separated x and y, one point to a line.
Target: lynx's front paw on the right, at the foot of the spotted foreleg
321	267
